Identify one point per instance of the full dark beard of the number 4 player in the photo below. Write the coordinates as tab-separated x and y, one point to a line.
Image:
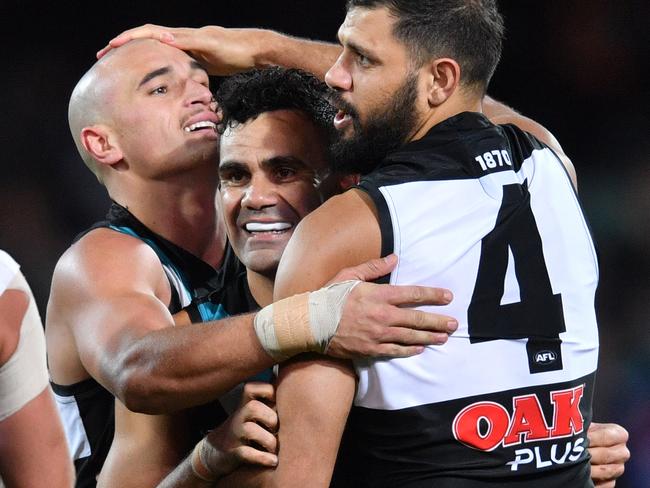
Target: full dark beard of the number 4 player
385	130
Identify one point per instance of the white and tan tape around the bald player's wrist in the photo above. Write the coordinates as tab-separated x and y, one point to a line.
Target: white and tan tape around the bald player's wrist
302	323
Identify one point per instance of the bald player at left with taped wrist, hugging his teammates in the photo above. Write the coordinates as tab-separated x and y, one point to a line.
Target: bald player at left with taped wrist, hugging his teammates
144	121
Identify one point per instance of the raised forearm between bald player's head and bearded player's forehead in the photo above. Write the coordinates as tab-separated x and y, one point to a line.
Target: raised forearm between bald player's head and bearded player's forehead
292	52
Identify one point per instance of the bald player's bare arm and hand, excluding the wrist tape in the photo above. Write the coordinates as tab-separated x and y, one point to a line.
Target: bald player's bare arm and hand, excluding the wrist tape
108	309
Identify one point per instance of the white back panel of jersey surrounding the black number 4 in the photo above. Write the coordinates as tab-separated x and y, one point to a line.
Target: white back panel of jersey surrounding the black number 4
438	228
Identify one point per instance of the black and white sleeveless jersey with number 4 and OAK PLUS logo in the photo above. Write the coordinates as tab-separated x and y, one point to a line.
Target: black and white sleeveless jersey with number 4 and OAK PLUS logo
490	213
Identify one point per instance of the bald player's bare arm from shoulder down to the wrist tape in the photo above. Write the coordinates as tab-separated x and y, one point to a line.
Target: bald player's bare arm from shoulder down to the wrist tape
108	318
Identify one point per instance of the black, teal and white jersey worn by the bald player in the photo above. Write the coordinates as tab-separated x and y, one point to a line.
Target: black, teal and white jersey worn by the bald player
87	408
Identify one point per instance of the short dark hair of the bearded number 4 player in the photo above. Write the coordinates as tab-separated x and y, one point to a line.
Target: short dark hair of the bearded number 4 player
469	31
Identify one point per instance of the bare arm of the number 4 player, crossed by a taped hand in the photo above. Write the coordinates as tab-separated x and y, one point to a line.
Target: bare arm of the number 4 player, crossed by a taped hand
314	395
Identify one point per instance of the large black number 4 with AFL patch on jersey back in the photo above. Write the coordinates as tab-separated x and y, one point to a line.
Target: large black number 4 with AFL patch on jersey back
538	316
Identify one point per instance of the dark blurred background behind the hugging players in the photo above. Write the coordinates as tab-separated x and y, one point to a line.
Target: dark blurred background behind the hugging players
578	67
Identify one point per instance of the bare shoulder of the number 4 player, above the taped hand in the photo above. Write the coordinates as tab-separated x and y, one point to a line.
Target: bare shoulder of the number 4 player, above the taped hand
342	232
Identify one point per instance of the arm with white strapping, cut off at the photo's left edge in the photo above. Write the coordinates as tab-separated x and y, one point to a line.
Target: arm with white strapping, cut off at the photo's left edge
32	443
